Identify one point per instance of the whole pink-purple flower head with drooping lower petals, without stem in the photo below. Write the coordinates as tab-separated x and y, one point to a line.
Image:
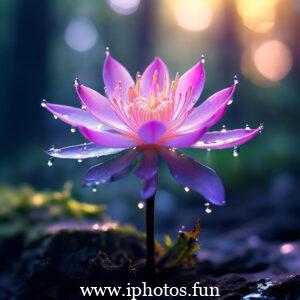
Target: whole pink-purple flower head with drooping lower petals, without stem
150	116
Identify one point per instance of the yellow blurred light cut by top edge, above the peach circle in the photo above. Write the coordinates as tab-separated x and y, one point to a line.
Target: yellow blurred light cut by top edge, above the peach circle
257	15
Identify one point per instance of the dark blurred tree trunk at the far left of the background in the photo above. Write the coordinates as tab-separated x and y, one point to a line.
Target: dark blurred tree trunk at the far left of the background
28	77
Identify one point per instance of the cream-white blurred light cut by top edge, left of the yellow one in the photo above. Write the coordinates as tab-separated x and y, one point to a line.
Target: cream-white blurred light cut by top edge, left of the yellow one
193	15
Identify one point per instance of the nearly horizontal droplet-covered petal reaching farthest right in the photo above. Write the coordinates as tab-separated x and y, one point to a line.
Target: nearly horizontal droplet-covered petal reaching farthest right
226	139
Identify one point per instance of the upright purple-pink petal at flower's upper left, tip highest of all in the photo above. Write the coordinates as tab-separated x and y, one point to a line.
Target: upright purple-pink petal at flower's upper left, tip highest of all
113	73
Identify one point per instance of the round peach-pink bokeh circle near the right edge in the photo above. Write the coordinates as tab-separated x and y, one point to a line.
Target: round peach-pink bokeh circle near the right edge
273	60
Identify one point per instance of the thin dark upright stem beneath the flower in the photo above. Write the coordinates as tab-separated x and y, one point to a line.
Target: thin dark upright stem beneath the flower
150	234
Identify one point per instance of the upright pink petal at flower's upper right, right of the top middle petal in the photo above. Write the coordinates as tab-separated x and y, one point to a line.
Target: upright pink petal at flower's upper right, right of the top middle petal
195	78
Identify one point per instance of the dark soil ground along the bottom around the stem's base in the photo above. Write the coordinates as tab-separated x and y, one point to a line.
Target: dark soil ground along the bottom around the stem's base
56	265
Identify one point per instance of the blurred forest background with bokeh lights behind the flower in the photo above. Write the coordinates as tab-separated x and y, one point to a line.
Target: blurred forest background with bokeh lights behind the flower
45	45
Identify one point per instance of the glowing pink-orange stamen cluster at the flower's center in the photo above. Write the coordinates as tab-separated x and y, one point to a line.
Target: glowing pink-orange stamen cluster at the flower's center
161	103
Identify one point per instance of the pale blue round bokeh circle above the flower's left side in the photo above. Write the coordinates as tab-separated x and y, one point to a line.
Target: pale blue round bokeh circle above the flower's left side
81	34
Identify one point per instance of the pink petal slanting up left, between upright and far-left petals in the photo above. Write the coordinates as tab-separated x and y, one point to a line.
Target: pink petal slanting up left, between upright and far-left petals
100	107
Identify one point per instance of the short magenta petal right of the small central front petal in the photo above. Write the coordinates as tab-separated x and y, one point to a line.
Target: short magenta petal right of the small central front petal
184	140
